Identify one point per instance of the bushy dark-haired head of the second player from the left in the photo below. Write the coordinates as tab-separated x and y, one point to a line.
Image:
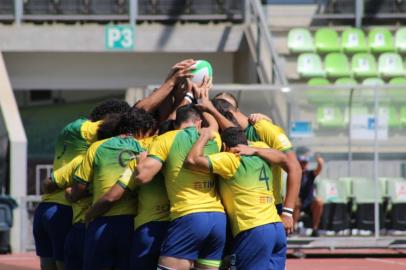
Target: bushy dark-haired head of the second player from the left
137	122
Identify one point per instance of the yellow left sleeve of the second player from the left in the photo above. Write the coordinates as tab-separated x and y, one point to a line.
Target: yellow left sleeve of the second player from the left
84	174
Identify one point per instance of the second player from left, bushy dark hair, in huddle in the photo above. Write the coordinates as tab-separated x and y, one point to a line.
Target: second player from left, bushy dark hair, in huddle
108	235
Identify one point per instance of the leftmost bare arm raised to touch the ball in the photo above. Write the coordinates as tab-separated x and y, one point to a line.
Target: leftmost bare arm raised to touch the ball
178	71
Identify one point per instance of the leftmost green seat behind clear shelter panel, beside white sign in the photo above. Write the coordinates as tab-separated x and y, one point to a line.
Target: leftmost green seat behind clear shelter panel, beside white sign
330	116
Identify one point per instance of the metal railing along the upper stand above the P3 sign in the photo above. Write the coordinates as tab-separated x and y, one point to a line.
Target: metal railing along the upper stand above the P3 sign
126	10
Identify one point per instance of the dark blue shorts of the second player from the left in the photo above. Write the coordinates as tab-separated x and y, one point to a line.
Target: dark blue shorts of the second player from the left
108	243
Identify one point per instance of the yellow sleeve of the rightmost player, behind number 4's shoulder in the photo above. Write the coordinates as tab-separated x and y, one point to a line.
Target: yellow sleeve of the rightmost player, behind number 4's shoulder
273	135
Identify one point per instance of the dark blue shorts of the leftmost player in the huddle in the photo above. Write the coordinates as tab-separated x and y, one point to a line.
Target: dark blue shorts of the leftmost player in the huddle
52	222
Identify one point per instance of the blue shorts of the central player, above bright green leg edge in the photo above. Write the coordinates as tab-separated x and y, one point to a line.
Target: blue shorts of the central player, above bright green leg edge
196	236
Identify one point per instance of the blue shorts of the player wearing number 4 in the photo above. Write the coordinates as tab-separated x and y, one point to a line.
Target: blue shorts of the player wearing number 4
263	247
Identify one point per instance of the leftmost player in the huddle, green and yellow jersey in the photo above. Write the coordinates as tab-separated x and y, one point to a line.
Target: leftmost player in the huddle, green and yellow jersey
53	216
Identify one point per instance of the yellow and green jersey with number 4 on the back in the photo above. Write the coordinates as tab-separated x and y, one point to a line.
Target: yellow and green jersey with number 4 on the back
246	189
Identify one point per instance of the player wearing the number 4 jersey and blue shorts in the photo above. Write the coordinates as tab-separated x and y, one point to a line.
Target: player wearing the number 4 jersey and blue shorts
246	192
